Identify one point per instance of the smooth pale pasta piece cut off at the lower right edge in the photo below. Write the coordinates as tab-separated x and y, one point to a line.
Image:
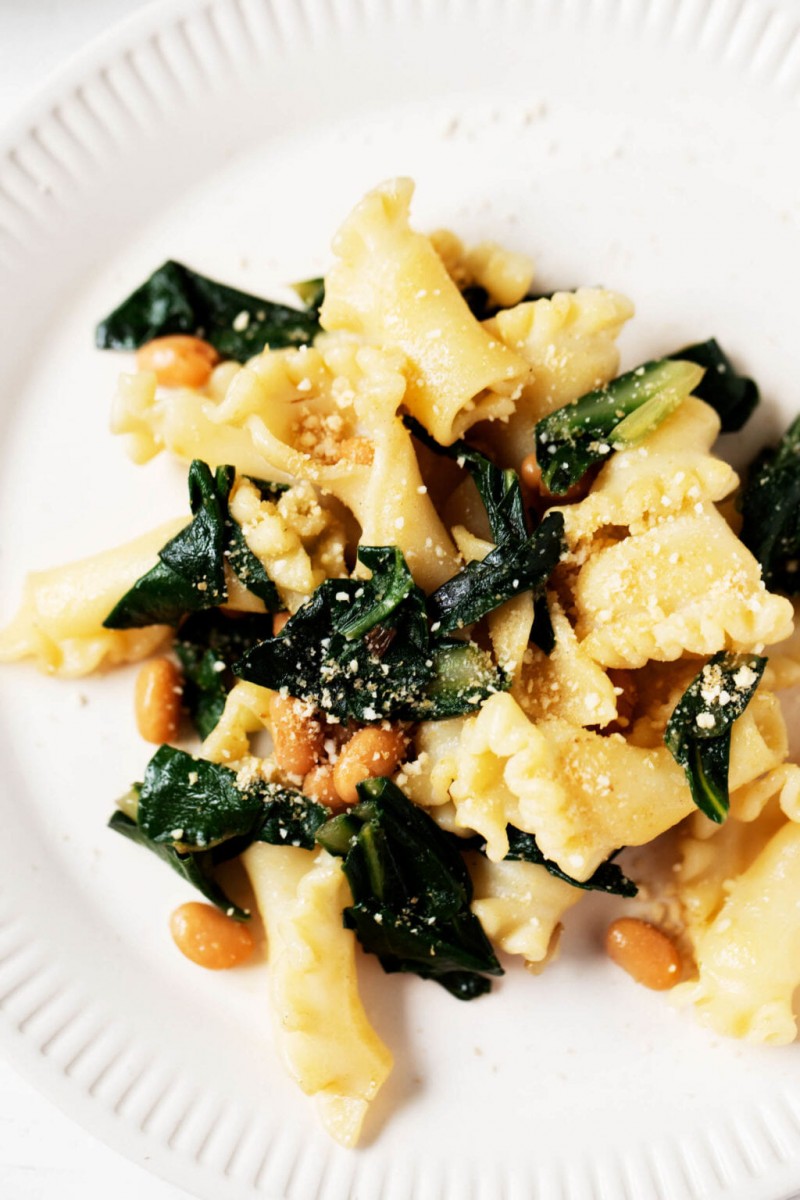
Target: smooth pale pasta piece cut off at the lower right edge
749	958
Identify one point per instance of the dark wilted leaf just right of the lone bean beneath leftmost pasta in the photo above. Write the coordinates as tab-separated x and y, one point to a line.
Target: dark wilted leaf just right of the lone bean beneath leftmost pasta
208	645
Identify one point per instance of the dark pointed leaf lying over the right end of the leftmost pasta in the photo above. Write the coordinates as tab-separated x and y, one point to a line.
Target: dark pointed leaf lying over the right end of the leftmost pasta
191	573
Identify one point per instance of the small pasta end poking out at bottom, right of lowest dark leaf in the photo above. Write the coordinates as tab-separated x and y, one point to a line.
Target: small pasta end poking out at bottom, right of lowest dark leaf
521	907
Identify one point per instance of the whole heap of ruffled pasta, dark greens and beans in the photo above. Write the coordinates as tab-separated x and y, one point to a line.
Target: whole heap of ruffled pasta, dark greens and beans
458	615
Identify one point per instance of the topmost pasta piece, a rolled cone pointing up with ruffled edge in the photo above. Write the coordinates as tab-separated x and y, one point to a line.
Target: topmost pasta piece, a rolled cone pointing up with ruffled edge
390	287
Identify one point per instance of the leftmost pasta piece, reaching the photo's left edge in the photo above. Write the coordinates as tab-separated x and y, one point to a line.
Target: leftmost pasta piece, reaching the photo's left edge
61	620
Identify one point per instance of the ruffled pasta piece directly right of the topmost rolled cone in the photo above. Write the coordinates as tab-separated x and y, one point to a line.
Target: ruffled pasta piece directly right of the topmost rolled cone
570	343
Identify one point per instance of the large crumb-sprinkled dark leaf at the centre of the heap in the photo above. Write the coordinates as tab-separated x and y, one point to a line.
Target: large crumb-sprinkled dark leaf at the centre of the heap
363	650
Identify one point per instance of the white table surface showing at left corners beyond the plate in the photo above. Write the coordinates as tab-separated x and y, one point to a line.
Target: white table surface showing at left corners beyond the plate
44	1156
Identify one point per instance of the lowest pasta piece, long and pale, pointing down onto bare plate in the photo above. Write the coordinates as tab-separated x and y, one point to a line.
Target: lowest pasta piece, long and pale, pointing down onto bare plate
328	1045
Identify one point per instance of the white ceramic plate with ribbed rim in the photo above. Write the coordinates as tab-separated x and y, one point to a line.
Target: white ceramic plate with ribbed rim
652	147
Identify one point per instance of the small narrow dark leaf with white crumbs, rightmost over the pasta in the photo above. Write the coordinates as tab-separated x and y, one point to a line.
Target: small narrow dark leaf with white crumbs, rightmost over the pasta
699	733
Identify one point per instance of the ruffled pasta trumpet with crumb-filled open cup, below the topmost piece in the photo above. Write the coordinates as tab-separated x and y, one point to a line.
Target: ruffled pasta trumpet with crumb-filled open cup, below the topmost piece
350	443
